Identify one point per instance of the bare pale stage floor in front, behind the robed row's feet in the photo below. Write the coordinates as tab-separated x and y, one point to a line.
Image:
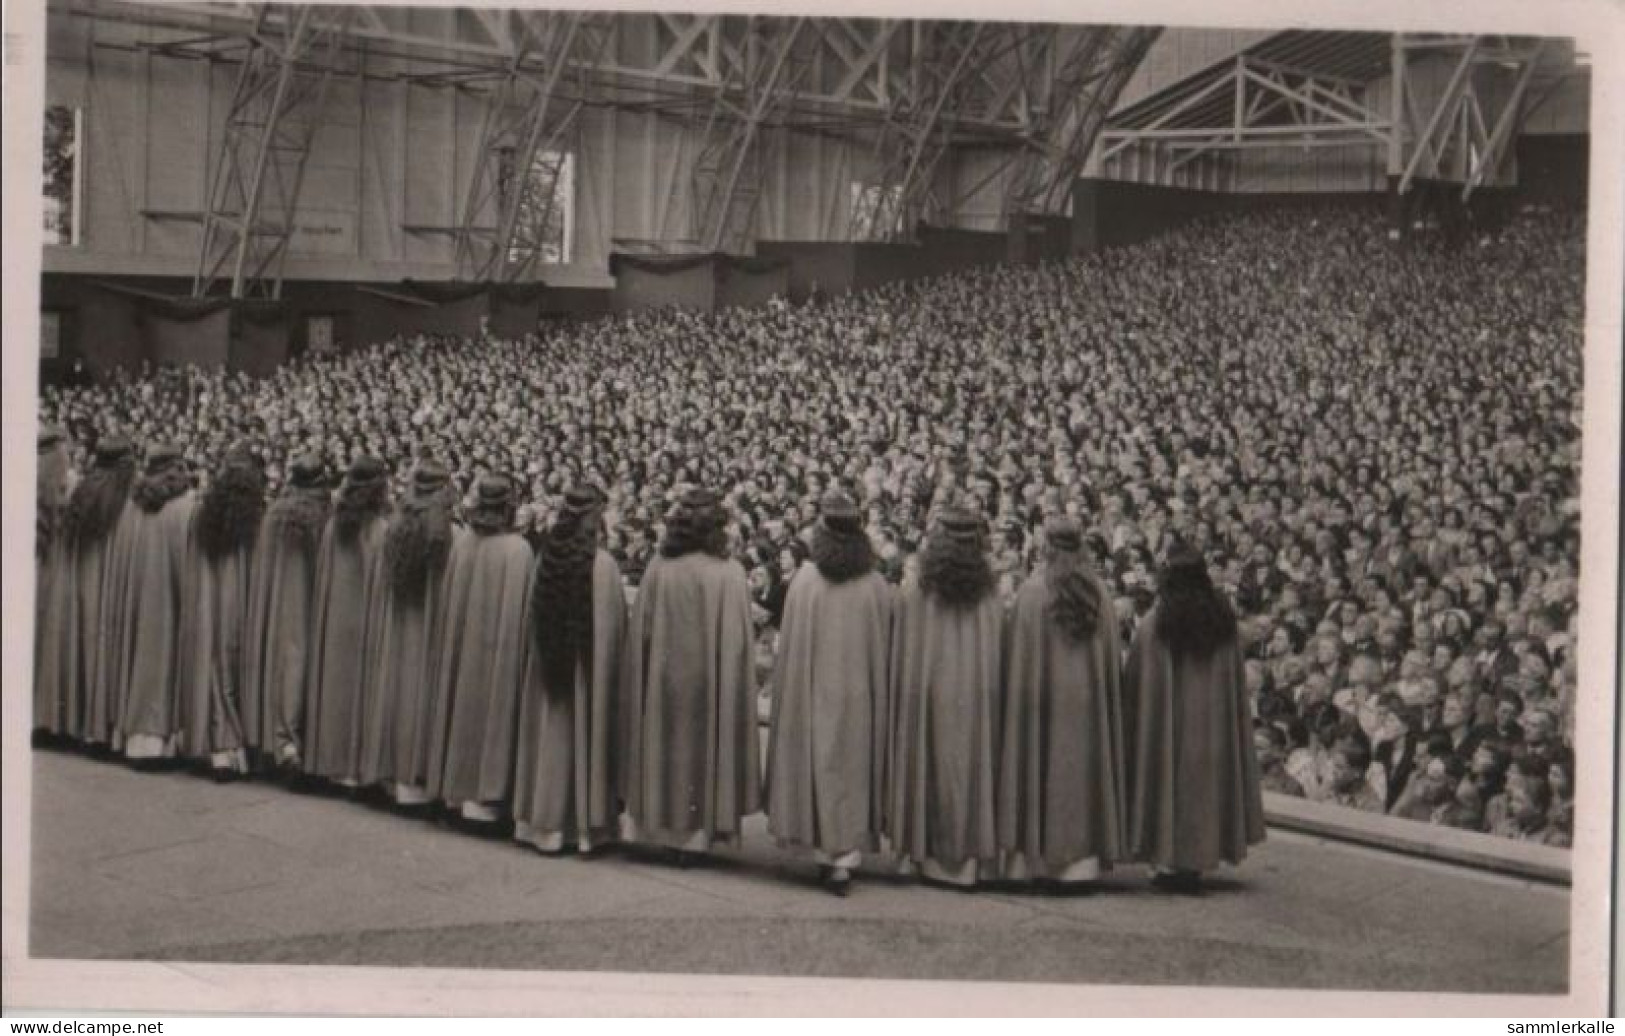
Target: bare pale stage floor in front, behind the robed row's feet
168	866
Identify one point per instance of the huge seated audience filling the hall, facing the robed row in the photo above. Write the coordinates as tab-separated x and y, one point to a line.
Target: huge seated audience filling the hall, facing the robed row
1377	447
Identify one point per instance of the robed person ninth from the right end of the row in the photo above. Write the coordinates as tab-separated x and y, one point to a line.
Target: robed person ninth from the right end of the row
345	579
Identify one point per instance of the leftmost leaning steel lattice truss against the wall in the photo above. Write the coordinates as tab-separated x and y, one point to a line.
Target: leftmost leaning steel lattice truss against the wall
259	170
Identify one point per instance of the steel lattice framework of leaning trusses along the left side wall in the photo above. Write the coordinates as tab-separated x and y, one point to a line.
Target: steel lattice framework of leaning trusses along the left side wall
904	93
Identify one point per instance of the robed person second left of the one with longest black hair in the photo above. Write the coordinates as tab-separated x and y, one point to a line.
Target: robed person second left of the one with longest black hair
404	637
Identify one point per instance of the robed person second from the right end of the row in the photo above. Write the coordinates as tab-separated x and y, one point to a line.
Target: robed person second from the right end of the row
1062	762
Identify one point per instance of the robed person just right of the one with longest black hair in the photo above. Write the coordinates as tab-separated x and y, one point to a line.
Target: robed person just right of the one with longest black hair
690	753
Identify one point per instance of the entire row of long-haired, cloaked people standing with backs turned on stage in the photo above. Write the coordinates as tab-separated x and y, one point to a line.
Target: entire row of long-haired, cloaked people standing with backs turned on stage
373	644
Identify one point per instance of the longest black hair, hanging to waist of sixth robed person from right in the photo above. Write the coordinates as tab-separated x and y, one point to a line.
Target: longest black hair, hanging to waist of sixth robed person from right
563	595
